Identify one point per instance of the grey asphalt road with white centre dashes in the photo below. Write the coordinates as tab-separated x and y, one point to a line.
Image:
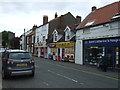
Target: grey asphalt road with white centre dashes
51	74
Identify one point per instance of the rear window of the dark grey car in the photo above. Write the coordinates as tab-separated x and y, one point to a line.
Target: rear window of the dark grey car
20	55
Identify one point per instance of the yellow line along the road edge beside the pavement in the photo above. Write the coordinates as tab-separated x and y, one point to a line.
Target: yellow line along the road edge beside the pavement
85	71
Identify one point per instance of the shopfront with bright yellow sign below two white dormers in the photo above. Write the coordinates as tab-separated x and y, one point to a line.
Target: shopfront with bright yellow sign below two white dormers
62	49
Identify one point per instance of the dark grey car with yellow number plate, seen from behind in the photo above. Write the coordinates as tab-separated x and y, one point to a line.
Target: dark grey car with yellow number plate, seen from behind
17	62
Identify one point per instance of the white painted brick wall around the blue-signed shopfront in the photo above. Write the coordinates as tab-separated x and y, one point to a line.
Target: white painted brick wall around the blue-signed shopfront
101	31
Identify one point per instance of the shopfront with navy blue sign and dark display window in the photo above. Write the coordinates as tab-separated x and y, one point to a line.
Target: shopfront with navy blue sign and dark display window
95	49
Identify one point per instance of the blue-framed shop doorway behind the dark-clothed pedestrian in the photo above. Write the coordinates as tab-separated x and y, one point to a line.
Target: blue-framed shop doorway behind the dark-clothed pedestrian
111	56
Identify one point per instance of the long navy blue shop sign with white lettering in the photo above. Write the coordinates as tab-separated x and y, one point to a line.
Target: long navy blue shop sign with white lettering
103	42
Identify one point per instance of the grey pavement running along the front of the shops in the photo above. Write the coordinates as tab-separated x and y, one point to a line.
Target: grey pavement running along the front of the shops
86	68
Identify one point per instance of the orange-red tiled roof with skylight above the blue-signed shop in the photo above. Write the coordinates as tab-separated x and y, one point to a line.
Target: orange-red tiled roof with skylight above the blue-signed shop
101	15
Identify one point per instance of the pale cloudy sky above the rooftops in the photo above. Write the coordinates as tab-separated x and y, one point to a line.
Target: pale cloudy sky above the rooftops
17	15
